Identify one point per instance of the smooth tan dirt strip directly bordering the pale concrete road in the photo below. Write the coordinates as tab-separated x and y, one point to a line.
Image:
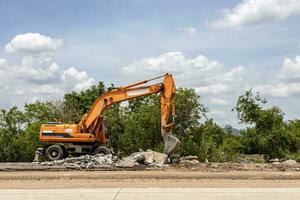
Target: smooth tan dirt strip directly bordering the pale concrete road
137	179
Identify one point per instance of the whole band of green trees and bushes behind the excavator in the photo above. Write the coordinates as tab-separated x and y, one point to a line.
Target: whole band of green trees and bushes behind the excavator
137	126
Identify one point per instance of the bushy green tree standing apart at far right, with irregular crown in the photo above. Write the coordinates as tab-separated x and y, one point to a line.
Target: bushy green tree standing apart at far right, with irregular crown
269	134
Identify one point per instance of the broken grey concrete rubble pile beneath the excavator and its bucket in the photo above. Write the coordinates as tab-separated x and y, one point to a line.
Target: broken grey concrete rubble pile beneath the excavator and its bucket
150	159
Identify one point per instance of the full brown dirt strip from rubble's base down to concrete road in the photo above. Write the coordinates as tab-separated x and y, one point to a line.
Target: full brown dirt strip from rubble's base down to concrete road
201	175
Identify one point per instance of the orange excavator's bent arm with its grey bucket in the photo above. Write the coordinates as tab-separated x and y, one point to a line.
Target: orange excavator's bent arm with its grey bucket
93	121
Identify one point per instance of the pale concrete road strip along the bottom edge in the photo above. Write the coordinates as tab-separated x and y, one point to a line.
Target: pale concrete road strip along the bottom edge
153	193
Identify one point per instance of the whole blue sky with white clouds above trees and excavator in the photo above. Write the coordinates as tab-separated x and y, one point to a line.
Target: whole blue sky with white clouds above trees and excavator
220	48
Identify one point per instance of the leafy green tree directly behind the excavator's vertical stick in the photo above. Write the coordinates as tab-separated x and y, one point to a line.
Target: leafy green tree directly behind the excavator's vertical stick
141	121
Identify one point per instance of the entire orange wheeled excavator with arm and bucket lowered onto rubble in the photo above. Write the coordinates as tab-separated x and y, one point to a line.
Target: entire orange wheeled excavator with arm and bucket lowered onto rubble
90	136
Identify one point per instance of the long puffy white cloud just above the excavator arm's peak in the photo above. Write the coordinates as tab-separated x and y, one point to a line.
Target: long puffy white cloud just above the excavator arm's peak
206	75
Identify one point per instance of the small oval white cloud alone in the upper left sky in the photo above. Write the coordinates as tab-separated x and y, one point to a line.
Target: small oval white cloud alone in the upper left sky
33	43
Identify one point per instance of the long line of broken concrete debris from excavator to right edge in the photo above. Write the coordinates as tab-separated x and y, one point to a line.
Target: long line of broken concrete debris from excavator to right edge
151	160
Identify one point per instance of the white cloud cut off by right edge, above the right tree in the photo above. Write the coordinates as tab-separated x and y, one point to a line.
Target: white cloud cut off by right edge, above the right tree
286	81
